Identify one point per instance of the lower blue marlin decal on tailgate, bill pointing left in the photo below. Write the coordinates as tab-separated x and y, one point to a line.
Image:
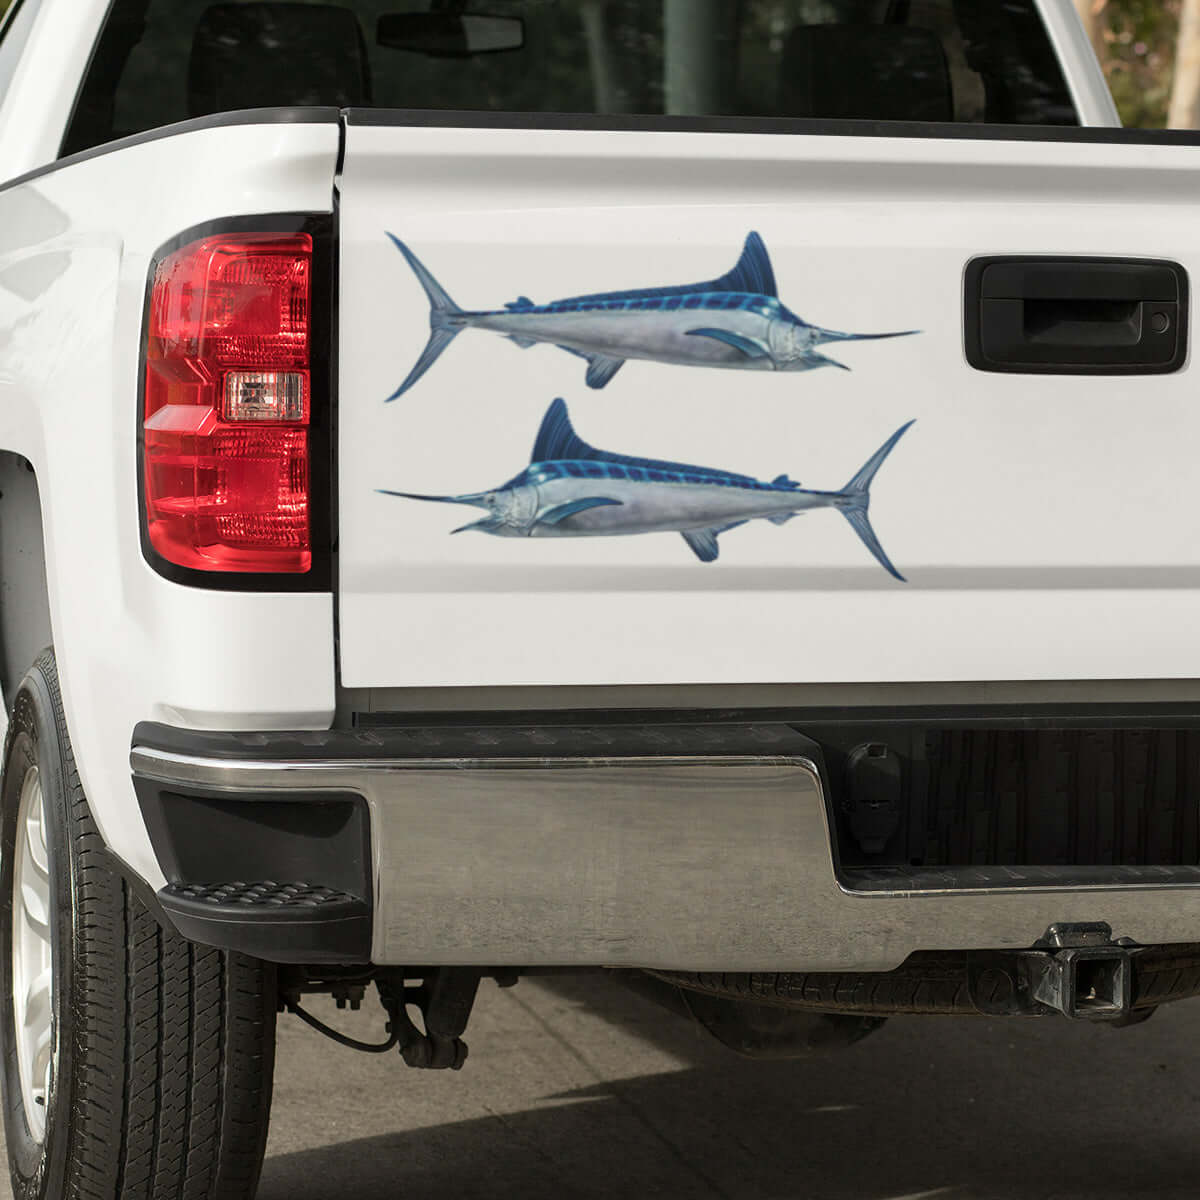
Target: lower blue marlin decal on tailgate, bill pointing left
572	490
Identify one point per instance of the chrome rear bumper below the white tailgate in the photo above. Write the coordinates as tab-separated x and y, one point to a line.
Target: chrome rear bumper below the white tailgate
717	862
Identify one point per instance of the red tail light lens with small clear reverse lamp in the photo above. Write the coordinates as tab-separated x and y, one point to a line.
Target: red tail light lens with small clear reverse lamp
229	388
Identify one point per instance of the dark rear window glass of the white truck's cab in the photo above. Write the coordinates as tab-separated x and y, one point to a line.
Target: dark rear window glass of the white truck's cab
927	61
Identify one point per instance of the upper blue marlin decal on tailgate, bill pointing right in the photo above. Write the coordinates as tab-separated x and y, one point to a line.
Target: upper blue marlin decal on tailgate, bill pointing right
734	322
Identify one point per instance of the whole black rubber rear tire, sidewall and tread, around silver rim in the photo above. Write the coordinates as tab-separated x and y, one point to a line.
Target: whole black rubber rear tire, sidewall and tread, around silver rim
161	1084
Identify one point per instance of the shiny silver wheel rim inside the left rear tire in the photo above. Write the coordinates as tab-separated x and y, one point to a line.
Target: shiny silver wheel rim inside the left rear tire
33	959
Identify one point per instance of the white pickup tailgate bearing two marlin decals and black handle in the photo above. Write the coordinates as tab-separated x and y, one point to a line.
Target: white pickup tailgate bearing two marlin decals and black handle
1046	526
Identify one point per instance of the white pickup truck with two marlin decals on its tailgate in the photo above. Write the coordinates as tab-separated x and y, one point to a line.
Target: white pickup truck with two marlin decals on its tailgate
291	293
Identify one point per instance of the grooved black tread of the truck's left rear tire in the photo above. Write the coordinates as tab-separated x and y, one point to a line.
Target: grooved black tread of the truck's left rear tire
175	1043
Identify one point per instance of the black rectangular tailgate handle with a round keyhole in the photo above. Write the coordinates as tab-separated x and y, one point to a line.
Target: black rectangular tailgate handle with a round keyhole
1077	316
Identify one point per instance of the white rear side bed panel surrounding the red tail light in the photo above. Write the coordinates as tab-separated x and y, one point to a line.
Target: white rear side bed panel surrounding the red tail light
75	251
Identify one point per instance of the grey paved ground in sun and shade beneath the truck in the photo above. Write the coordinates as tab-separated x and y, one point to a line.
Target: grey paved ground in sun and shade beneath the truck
580	1089
